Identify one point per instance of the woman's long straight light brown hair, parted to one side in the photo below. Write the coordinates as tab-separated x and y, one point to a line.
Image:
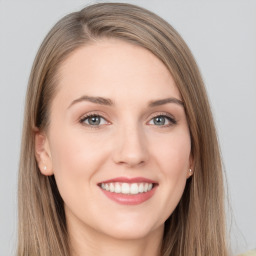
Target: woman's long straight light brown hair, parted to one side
197	226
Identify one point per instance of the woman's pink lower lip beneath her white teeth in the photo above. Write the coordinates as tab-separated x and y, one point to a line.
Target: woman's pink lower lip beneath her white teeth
129	199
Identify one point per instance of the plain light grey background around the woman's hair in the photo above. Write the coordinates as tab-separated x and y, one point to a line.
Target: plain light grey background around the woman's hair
222	36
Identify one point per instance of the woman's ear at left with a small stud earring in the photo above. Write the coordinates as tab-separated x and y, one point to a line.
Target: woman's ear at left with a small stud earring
43	153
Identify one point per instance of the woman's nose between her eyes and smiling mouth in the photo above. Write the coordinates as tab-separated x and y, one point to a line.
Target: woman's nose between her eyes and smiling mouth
130	147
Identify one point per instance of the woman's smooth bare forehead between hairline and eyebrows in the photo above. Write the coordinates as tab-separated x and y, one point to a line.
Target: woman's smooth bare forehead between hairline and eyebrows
115	69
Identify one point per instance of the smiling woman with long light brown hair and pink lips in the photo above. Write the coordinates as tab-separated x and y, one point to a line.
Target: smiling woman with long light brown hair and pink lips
119	152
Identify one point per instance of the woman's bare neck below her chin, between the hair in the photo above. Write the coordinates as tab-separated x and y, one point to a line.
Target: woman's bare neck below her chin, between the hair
92	243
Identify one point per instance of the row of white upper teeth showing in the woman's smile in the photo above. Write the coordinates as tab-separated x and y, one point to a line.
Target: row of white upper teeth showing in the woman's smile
127	188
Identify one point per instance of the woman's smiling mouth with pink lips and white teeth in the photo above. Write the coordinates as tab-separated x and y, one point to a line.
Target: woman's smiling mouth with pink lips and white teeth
128	191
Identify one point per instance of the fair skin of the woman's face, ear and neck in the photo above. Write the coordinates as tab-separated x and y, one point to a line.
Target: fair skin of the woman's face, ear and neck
126	143
